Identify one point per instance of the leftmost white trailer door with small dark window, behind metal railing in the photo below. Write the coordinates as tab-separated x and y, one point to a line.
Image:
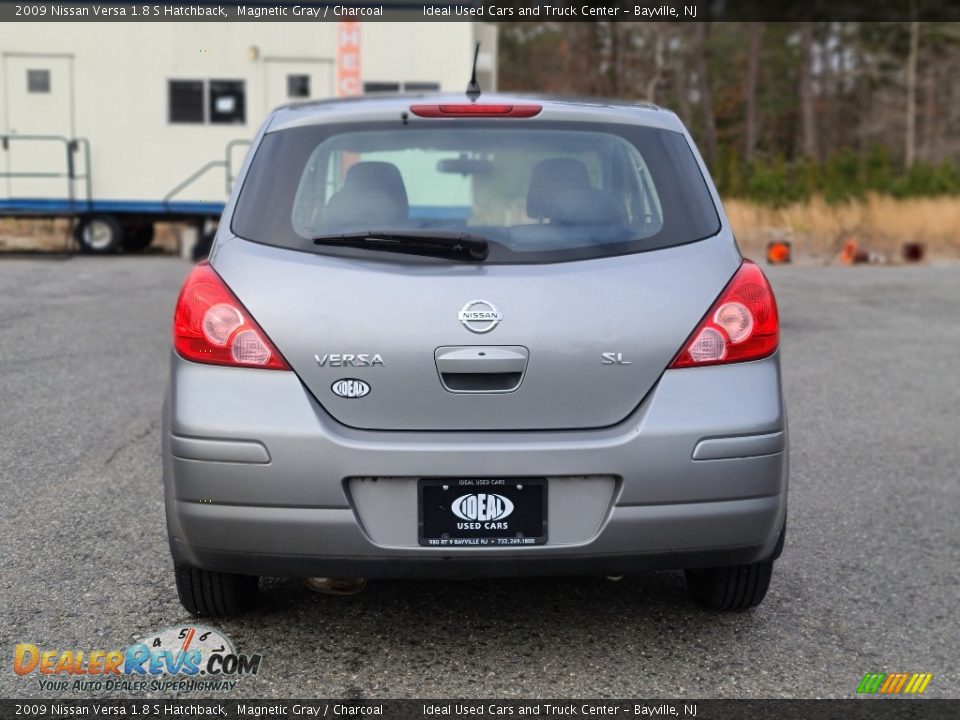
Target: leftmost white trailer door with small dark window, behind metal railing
39	119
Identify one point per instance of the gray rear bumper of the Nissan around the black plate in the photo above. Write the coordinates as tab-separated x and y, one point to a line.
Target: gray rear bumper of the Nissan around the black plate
260	480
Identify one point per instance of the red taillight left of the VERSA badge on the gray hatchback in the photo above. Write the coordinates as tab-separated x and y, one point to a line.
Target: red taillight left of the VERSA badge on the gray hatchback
211	326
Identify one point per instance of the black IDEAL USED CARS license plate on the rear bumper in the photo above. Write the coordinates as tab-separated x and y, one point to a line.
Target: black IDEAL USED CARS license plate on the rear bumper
480	512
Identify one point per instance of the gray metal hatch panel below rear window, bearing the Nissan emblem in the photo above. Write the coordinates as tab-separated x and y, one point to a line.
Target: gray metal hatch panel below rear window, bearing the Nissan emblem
443	345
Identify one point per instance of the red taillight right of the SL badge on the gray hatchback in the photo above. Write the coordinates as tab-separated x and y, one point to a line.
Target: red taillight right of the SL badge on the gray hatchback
742	324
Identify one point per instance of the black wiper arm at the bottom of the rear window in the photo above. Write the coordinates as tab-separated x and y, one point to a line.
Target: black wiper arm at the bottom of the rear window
438	243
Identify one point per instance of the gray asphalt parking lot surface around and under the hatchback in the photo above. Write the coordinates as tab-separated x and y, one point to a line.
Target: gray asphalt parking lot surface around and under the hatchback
868	582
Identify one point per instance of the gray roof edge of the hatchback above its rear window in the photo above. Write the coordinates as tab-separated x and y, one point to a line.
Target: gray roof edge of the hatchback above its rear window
384	108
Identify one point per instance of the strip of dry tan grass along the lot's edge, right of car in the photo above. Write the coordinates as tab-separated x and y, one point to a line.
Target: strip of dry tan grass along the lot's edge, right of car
879	224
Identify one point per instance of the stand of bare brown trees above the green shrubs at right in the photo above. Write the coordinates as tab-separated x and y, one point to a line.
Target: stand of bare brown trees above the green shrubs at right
867	86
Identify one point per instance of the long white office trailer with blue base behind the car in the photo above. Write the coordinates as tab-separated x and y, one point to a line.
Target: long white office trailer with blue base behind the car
120	125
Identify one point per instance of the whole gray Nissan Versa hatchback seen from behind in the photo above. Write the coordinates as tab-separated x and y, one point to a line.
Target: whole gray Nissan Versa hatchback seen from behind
442	338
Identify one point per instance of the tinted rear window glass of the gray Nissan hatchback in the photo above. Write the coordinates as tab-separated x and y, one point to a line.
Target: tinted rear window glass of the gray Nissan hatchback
538	192
